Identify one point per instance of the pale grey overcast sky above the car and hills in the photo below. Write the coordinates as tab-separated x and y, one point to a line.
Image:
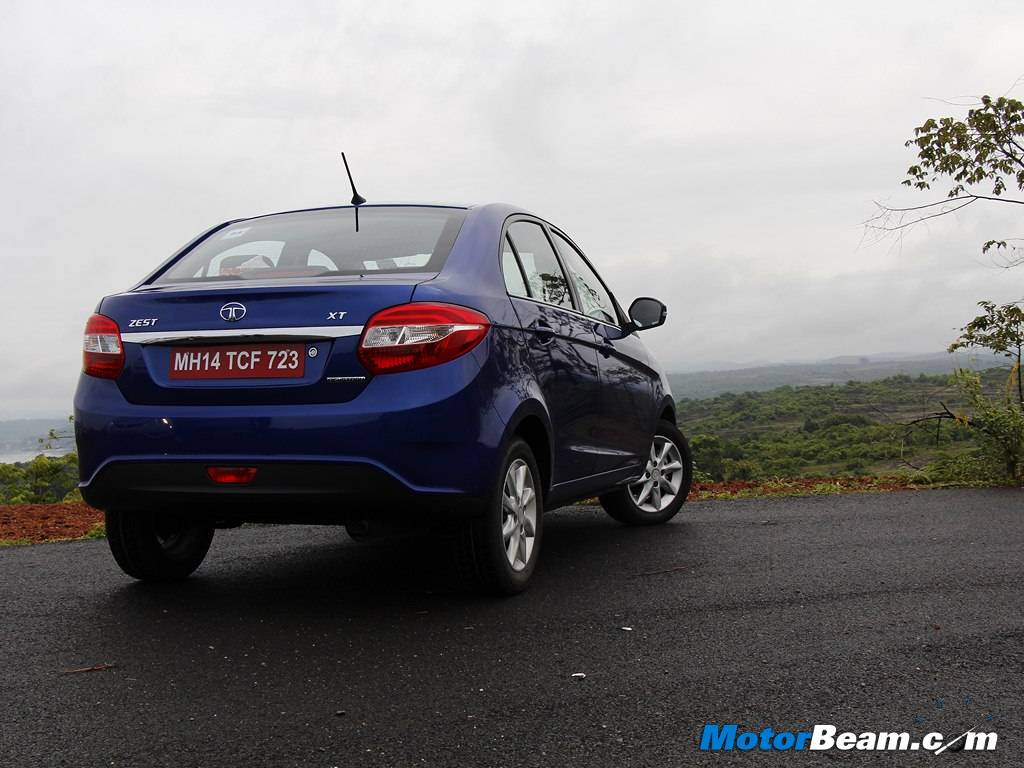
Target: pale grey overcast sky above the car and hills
719	156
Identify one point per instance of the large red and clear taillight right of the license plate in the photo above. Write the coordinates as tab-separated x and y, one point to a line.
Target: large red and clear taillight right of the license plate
409	337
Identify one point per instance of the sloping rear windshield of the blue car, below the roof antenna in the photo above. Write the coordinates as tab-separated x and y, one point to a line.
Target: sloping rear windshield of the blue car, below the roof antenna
316	244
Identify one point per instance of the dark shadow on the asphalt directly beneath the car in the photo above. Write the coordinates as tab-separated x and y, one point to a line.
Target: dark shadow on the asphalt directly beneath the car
322	572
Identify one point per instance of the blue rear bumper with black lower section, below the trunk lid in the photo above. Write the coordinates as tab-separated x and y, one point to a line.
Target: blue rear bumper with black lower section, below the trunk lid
426	439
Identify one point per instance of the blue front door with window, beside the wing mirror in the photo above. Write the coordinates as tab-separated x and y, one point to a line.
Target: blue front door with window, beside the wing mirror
628	381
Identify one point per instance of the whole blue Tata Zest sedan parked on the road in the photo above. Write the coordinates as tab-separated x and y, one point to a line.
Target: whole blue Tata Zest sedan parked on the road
461	370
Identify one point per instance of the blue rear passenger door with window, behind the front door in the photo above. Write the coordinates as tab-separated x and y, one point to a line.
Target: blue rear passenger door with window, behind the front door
563	349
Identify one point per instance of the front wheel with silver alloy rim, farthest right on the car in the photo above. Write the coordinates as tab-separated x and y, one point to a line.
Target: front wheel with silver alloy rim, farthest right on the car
669	474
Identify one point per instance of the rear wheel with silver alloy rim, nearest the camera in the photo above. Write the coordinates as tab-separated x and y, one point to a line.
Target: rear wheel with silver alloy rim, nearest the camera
497	552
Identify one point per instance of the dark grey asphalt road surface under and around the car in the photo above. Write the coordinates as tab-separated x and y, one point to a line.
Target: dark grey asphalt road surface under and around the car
294	647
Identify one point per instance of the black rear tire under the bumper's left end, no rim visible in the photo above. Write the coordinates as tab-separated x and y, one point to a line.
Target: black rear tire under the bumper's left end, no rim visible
157	547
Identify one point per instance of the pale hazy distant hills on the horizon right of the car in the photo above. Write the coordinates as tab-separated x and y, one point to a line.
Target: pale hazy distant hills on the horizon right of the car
702	385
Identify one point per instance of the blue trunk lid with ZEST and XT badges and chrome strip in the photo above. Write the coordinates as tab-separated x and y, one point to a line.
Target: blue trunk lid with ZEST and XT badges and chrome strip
249	345
